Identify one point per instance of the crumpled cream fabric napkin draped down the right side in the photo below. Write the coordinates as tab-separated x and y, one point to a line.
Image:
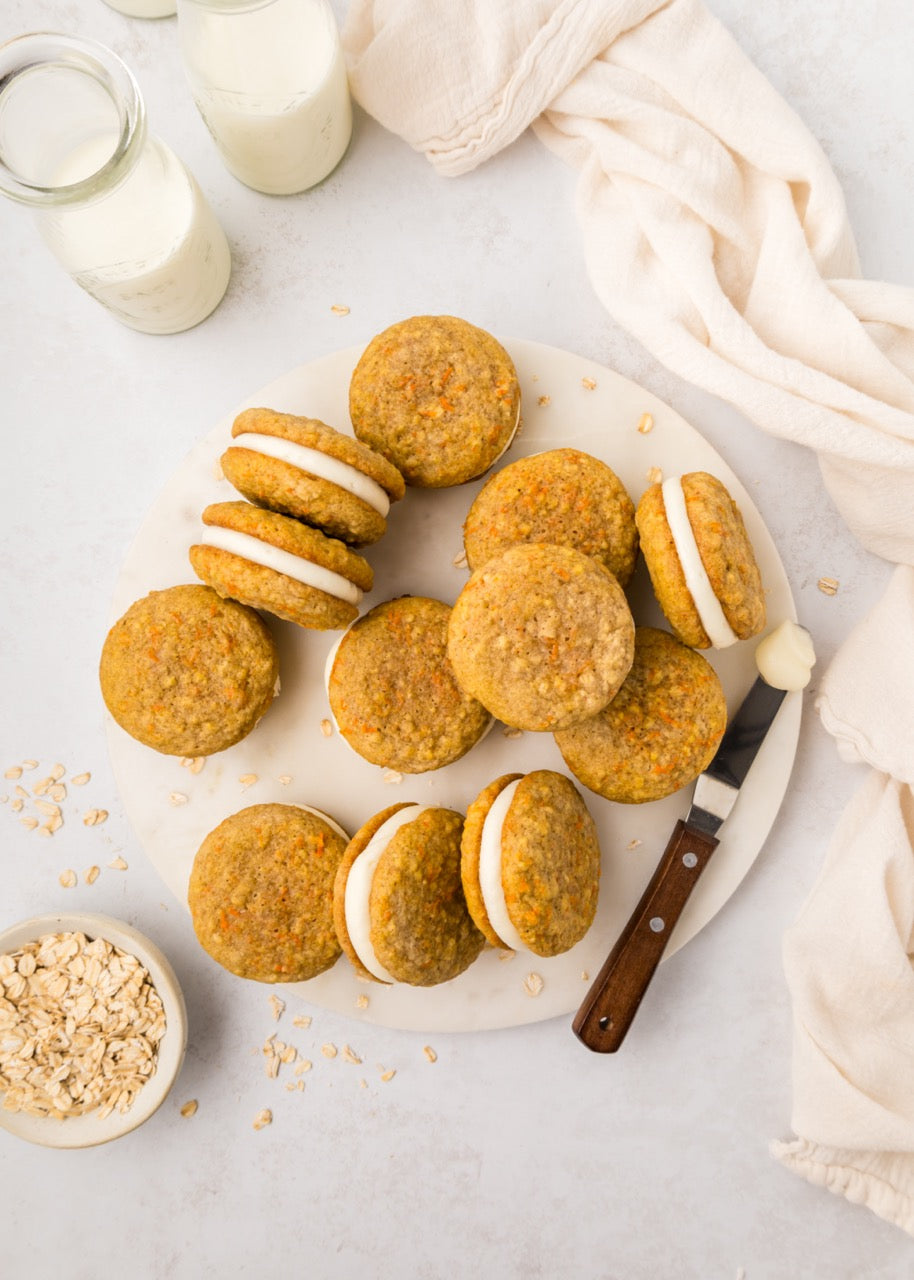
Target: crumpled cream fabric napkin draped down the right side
716	232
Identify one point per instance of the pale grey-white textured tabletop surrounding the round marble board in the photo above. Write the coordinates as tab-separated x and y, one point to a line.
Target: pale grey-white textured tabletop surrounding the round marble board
517	1154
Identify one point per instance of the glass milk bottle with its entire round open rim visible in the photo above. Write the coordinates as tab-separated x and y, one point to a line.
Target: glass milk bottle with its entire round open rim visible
113	203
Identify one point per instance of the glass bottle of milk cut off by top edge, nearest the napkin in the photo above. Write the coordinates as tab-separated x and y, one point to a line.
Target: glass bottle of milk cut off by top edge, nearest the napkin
269	80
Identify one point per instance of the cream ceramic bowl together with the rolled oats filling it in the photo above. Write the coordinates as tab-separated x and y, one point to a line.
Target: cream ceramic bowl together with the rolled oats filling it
93	1030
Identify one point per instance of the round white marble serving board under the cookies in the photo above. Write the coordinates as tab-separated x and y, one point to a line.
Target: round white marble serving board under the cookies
566	401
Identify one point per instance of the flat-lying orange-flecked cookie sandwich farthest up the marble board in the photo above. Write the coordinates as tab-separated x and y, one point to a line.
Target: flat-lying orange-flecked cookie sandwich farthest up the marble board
438	397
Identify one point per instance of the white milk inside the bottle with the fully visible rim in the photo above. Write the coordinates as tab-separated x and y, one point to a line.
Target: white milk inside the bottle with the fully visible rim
150	252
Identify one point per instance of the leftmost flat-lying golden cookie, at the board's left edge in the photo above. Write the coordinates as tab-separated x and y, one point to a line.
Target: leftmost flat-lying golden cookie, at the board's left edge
188	673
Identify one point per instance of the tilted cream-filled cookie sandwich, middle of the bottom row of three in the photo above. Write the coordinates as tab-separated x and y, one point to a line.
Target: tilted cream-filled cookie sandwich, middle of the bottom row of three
399	902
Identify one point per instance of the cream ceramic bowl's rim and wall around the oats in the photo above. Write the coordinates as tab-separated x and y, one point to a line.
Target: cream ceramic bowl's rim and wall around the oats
93	1130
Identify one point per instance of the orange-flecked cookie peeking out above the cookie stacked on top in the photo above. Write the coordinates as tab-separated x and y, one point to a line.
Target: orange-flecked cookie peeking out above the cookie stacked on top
563	497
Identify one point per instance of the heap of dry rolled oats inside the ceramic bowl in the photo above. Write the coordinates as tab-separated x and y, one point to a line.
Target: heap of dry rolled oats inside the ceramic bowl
81	1027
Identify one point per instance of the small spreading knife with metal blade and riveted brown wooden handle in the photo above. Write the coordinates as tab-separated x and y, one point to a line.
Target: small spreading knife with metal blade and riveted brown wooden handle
613	1002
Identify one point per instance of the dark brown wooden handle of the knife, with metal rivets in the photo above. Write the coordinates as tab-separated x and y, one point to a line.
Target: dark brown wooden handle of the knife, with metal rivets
613	1002
